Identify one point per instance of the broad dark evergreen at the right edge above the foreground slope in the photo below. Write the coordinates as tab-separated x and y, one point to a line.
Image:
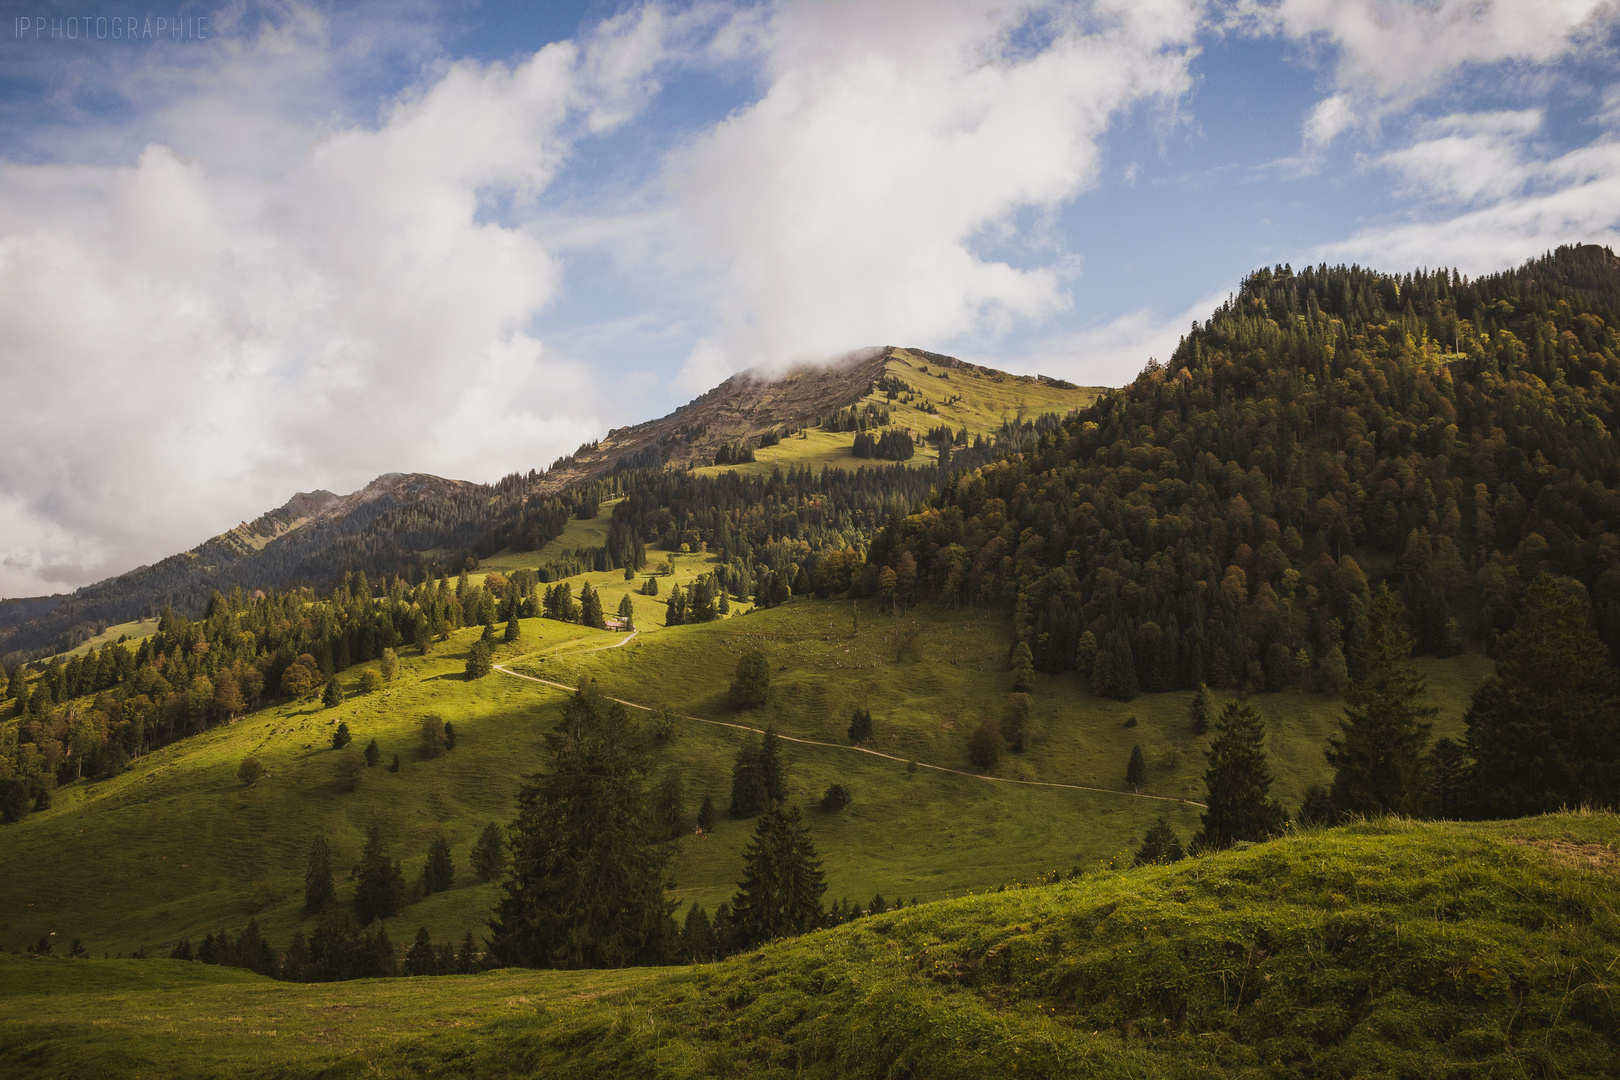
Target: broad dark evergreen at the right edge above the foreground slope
1545	729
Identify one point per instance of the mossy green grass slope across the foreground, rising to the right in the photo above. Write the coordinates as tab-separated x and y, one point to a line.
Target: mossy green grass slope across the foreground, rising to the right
1388	950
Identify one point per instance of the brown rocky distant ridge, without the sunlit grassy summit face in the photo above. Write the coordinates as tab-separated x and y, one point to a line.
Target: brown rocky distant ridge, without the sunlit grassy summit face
399	522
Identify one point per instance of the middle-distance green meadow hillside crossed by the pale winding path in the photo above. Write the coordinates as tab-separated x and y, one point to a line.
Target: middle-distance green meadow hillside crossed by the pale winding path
179	846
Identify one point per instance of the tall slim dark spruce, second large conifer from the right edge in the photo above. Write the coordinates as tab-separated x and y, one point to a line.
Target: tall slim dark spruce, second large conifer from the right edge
1378	755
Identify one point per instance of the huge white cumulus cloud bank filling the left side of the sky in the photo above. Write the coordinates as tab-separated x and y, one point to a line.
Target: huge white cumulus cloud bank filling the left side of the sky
190	341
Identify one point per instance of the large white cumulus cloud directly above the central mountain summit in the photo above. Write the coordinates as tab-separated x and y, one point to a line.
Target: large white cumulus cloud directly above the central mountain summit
853	203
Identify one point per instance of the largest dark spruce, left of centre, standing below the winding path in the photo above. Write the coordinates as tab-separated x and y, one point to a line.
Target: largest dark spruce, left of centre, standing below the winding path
589	865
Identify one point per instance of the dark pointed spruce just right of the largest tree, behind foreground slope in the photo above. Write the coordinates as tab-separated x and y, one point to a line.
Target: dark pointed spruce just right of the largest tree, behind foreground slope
782	885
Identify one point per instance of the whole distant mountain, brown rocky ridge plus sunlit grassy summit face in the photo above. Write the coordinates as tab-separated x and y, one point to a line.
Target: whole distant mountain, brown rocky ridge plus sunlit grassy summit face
414	524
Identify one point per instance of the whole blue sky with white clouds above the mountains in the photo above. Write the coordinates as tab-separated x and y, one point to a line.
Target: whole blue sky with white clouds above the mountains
260	249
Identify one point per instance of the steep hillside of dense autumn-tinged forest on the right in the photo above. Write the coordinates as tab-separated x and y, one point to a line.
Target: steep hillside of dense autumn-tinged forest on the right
1221	519
